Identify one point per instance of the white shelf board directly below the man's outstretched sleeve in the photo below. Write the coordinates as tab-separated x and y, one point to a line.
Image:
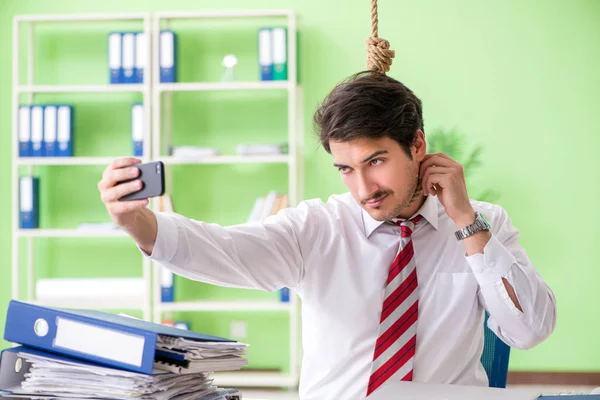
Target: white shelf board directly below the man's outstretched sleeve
250	305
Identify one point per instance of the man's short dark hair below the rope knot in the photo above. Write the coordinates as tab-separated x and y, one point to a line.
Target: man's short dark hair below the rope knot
369	105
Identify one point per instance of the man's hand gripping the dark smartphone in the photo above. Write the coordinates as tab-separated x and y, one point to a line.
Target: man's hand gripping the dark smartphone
122	213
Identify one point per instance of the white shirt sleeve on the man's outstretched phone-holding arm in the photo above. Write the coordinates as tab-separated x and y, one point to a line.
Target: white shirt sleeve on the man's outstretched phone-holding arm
264	255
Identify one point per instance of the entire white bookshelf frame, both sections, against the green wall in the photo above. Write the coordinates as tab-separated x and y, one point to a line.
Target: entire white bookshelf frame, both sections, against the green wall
25	91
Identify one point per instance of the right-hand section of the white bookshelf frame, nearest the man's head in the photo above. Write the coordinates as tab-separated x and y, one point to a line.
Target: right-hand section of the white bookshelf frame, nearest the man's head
161	135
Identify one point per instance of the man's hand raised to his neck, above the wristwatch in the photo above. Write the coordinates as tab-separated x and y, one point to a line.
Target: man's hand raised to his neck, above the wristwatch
443	177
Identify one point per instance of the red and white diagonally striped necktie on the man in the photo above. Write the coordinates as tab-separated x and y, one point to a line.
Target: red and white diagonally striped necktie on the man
395	347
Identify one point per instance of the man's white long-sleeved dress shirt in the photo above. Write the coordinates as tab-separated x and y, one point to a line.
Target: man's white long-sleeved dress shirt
336	257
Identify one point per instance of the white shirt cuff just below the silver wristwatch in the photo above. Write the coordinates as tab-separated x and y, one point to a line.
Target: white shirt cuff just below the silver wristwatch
493	264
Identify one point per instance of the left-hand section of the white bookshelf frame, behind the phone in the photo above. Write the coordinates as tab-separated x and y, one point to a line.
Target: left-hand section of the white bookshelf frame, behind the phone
25	91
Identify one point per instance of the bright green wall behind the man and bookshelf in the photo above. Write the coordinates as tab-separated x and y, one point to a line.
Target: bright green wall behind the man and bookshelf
518	77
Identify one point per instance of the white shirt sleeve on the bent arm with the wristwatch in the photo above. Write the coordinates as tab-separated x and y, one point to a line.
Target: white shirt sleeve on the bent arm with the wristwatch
503	257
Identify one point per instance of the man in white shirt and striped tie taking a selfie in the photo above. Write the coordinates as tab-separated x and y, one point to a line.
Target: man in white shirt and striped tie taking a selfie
394	276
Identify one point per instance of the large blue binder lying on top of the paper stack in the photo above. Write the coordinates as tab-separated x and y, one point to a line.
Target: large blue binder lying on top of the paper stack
94	336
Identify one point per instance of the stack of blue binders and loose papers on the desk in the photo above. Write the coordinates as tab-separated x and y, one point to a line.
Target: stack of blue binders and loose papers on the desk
85	354
